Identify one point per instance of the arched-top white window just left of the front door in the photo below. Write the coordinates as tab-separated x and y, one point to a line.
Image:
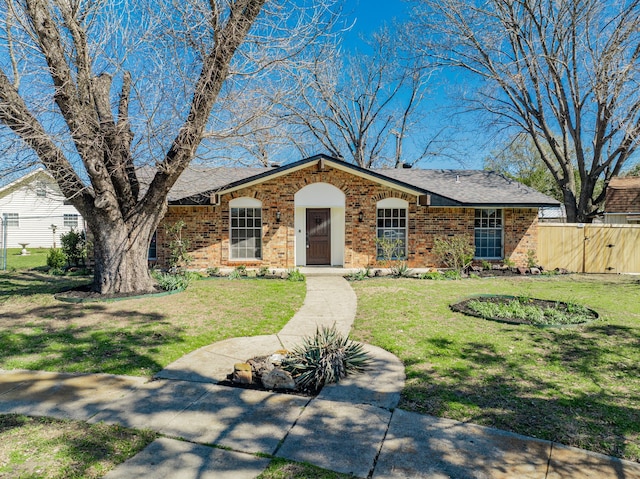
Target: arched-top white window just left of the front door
245	229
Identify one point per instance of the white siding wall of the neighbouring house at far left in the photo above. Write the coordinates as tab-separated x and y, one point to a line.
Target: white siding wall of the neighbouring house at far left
36	214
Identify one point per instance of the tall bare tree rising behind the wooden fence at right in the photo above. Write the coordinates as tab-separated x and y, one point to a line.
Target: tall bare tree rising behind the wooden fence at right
565	72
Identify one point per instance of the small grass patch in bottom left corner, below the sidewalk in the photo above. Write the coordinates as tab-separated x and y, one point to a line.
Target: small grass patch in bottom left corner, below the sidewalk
52	448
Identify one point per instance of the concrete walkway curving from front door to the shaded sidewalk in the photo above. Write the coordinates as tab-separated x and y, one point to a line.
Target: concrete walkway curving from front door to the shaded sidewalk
352	427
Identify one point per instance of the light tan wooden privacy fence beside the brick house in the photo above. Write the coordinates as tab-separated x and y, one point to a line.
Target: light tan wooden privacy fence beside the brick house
589	248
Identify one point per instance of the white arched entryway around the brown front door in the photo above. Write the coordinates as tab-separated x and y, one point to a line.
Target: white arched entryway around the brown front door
319	224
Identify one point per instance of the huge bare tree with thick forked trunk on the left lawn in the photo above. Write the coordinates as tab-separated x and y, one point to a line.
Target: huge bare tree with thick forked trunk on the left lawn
96	88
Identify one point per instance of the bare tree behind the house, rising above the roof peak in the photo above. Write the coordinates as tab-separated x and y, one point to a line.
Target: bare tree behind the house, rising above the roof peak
361	107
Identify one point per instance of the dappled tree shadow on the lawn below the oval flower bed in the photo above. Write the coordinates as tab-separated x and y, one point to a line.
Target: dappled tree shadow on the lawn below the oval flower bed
588	398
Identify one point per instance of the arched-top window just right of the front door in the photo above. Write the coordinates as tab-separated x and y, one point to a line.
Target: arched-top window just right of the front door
392	229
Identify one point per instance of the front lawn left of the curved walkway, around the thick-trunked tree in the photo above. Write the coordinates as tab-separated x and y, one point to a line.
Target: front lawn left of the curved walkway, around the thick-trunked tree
135	337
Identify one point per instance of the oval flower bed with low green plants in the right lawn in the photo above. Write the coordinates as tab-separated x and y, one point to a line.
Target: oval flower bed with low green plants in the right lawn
525	310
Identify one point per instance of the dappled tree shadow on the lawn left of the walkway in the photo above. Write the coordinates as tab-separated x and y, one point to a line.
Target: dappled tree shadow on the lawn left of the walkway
66	338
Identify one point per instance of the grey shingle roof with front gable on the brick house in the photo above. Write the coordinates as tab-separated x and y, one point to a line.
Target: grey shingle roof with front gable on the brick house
447	187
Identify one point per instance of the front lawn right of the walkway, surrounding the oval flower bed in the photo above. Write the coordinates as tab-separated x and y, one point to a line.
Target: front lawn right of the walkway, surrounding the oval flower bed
578	386
